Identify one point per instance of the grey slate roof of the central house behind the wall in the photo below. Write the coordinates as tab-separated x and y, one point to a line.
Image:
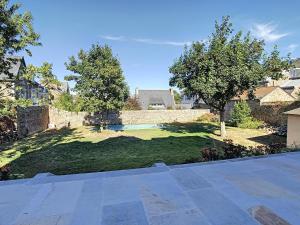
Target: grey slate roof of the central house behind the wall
148	97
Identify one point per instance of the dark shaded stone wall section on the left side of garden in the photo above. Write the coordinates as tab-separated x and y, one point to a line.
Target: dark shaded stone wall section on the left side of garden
32	119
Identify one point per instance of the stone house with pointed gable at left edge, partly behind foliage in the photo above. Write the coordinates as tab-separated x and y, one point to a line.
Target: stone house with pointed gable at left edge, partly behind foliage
15	86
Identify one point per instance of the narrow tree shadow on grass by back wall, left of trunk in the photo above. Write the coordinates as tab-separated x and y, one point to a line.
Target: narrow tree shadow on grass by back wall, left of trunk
190	127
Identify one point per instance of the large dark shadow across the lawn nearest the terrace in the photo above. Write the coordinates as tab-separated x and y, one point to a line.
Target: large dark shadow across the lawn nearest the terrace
122	152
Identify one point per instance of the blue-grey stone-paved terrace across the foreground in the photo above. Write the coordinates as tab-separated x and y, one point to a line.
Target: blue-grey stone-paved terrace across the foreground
240	192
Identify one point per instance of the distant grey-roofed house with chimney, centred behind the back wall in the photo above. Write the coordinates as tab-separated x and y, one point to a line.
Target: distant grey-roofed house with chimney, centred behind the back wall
155	99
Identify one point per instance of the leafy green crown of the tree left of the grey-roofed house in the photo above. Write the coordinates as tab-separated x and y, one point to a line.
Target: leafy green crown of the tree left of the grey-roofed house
99	79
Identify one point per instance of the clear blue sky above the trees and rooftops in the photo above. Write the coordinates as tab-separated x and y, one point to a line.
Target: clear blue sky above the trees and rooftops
148	35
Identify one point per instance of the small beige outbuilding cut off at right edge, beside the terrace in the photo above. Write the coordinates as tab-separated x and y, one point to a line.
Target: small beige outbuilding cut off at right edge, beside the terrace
293	131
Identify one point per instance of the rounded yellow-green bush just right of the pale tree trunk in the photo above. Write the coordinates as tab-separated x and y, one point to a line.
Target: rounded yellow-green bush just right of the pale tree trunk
241	116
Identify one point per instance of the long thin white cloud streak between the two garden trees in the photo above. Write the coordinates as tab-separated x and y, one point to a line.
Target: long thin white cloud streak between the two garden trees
146	40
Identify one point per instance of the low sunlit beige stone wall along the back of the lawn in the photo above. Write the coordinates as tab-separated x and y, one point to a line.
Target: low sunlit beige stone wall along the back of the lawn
60	118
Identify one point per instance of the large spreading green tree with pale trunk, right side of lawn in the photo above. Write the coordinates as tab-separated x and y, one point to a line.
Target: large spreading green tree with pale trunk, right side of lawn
225	66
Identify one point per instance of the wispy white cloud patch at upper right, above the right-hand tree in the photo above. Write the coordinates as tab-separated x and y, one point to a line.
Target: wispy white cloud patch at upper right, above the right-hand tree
267	32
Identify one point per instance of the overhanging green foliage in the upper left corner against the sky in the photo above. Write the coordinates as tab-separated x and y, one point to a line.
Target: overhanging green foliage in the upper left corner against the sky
16	33
